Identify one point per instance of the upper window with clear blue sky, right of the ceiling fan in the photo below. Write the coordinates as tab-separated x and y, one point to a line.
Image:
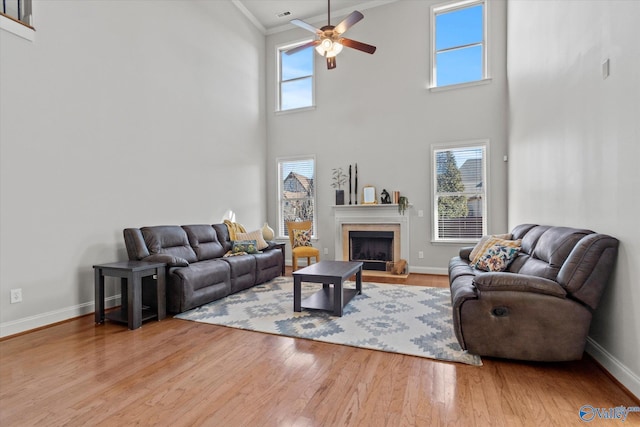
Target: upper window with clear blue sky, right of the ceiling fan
459	46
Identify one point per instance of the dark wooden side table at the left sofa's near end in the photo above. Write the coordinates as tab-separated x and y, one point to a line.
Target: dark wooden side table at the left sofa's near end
131	274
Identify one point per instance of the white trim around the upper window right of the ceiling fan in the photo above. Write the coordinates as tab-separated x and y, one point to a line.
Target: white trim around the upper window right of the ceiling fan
449	7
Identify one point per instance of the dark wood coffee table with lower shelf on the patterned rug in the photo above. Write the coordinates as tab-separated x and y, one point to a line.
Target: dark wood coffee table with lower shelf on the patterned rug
331	298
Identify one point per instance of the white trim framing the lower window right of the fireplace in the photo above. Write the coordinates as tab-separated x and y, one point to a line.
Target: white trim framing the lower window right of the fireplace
485	144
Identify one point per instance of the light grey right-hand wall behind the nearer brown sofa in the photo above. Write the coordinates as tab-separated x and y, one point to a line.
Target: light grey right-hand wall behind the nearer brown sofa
574	143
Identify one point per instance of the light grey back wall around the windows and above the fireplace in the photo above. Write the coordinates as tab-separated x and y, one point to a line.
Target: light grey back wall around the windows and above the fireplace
376	111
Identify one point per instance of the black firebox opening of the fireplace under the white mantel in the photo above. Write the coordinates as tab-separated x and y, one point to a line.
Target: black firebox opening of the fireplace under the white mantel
373	248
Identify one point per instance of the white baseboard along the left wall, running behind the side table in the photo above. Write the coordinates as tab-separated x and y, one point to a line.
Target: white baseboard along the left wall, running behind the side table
44	319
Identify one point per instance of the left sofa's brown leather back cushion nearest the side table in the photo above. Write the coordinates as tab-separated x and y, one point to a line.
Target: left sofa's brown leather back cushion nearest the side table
168	239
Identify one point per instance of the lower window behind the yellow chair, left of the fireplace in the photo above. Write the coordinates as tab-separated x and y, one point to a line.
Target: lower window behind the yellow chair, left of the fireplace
296	191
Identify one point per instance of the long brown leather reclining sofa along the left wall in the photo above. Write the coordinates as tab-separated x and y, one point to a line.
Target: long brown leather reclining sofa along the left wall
197	271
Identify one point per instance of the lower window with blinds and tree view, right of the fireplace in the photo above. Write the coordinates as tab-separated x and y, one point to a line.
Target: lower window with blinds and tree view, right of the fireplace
459	192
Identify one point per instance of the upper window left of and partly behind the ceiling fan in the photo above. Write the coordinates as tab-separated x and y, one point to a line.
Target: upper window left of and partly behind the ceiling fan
295	78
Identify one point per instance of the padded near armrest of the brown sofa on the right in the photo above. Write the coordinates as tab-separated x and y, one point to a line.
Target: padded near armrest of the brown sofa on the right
514	282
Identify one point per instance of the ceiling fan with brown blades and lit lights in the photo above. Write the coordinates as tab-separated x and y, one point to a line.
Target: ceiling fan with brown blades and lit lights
330	41
